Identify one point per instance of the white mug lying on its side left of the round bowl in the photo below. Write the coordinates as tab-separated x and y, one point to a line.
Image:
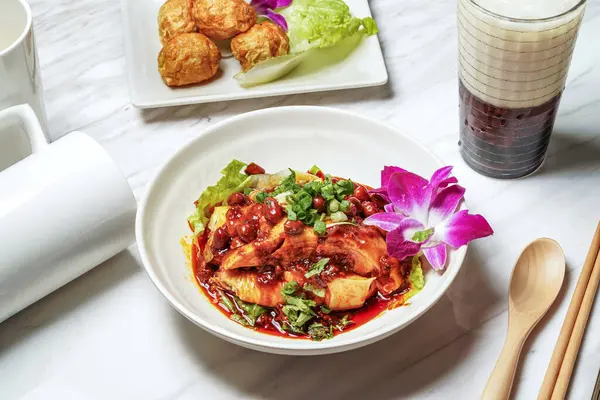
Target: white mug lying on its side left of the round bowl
64	209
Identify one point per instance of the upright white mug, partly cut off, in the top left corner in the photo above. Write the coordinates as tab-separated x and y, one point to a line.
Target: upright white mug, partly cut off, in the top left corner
19	69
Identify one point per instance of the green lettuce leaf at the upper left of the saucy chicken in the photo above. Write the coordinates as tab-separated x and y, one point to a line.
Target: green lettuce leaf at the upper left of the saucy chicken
233	180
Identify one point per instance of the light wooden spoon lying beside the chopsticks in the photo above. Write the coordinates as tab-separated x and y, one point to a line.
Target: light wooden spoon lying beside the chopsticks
535	282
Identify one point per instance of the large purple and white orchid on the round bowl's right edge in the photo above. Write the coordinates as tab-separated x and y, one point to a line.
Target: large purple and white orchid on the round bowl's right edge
421	215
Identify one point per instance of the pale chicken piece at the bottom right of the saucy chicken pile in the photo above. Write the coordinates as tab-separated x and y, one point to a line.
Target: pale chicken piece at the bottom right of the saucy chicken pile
349	292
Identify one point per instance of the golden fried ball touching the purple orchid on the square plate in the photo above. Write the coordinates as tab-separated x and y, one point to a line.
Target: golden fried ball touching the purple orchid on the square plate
223	19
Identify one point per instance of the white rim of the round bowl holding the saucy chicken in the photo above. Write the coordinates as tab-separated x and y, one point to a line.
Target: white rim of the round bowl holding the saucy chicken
330	346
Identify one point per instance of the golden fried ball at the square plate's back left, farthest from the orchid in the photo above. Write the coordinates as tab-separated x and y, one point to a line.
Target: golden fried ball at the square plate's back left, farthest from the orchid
175	17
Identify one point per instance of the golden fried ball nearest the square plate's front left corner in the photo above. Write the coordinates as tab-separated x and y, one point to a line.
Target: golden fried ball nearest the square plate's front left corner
188	58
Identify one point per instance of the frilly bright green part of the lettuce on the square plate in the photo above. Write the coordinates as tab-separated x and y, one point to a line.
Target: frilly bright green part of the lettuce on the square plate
322	23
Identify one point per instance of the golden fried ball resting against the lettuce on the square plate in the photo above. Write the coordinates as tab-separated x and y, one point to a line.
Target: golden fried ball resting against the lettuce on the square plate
263	41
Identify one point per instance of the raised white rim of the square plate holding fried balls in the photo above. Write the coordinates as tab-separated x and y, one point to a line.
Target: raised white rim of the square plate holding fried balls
141	103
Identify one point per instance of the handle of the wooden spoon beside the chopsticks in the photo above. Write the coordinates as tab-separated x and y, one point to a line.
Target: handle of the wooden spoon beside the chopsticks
500	383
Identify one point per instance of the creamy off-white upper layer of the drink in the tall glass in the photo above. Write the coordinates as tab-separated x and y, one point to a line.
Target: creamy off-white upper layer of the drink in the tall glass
516	64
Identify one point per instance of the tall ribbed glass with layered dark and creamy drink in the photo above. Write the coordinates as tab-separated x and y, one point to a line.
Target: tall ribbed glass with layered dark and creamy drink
514	56
